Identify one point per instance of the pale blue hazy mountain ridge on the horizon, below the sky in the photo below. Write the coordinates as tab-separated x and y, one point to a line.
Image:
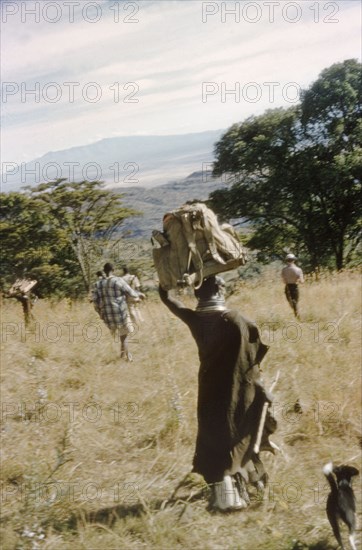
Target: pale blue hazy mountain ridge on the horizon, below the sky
121	161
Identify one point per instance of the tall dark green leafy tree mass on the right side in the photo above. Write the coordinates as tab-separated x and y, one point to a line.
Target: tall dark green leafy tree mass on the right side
295	173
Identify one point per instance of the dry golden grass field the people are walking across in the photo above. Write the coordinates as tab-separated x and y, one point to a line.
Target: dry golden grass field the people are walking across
93	448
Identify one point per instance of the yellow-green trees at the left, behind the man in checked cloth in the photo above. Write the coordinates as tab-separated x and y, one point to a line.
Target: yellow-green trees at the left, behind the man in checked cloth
57	232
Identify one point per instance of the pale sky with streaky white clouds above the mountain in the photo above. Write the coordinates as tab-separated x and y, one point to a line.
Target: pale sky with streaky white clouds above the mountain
75	72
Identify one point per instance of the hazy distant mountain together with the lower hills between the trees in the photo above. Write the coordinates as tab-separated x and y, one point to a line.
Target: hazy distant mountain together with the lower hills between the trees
163	172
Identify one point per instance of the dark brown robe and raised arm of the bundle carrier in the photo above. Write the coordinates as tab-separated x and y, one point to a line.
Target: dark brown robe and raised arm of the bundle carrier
230	394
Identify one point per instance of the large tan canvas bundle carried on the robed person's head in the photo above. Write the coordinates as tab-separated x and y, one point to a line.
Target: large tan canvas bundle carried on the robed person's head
193	246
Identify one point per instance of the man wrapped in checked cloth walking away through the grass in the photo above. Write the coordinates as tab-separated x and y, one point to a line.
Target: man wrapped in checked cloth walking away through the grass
110	301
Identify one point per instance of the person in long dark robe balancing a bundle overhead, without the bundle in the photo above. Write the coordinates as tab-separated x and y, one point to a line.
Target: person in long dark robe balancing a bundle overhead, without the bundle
231	396
